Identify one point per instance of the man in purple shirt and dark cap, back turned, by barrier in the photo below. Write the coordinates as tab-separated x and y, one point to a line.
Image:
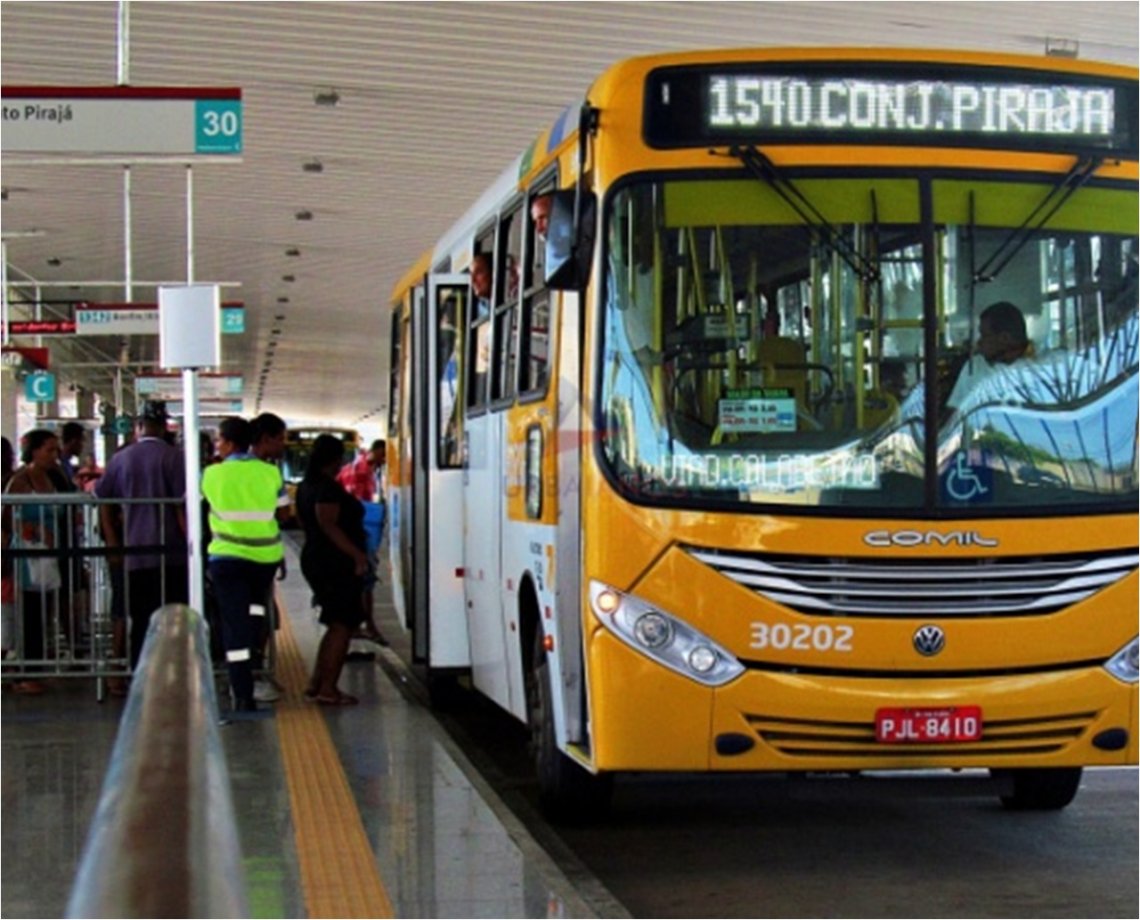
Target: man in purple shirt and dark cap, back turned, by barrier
149	469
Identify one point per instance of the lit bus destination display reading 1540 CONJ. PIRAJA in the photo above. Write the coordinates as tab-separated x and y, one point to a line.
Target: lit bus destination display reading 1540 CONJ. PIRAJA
732	105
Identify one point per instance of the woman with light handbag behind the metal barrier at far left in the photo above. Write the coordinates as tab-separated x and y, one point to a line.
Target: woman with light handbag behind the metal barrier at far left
35	527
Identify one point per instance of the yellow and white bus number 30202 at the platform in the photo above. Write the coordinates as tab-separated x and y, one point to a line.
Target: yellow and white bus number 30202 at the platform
797	428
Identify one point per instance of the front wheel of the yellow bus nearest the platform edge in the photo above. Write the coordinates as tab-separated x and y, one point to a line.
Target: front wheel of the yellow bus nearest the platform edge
567	792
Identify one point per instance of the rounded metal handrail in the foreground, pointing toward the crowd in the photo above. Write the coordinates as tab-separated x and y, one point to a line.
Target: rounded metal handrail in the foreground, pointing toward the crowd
165	842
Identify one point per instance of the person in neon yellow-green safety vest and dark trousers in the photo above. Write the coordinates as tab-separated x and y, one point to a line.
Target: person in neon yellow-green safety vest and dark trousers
246	548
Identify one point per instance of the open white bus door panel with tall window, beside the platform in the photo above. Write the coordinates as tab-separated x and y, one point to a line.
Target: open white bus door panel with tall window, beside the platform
438	622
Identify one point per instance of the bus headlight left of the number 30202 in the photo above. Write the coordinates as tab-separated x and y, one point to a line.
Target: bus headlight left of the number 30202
663	637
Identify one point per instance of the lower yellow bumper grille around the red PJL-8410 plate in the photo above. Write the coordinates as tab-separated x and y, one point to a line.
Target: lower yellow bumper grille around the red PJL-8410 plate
809	738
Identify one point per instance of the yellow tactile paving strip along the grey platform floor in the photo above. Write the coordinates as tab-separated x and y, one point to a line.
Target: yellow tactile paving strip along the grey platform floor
339	873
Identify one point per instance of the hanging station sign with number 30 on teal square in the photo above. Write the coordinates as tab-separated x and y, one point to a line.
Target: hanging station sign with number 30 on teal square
128	121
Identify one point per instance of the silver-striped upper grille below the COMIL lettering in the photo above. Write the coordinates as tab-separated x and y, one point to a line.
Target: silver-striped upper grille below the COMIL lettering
894	588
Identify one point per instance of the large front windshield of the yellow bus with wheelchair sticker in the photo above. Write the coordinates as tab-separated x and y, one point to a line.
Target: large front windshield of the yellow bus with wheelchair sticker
755	353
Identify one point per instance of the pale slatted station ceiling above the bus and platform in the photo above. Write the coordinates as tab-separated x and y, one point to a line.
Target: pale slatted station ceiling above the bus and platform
434	101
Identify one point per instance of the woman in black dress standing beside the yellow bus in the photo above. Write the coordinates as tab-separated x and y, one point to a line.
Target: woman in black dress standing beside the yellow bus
335	563
